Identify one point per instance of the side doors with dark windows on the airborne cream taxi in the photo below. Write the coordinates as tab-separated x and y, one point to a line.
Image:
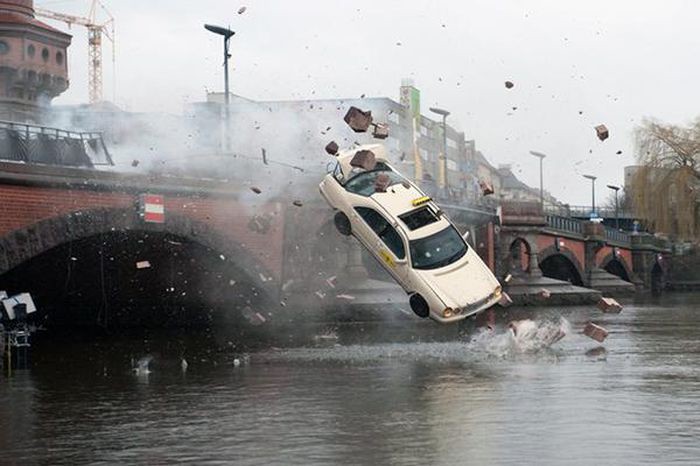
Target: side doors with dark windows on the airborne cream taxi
386	243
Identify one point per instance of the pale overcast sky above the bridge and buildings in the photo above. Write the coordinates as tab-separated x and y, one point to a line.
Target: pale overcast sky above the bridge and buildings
615	61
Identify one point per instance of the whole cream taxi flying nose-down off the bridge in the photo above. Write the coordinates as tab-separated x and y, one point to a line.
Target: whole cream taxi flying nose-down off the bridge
409	235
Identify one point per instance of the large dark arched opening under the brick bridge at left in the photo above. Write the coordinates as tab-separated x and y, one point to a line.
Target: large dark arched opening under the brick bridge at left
133	280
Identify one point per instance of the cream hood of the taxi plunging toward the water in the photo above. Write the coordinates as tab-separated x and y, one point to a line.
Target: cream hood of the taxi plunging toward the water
462	283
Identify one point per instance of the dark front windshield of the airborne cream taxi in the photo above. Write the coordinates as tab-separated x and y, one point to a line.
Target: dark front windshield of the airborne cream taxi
438	250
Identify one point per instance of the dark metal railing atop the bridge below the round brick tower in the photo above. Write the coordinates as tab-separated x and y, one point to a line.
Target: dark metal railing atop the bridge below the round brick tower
20	142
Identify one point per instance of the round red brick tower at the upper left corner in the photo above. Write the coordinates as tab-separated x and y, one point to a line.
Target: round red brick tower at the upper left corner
33	62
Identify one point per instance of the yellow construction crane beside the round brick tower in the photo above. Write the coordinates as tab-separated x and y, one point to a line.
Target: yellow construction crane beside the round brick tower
96	30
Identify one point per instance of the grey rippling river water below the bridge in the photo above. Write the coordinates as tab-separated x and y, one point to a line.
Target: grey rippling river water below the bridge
633	400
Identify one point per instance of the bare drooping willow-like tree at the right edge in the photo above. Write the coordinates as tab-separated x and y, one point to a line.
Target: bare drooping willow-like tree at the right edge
664	189
